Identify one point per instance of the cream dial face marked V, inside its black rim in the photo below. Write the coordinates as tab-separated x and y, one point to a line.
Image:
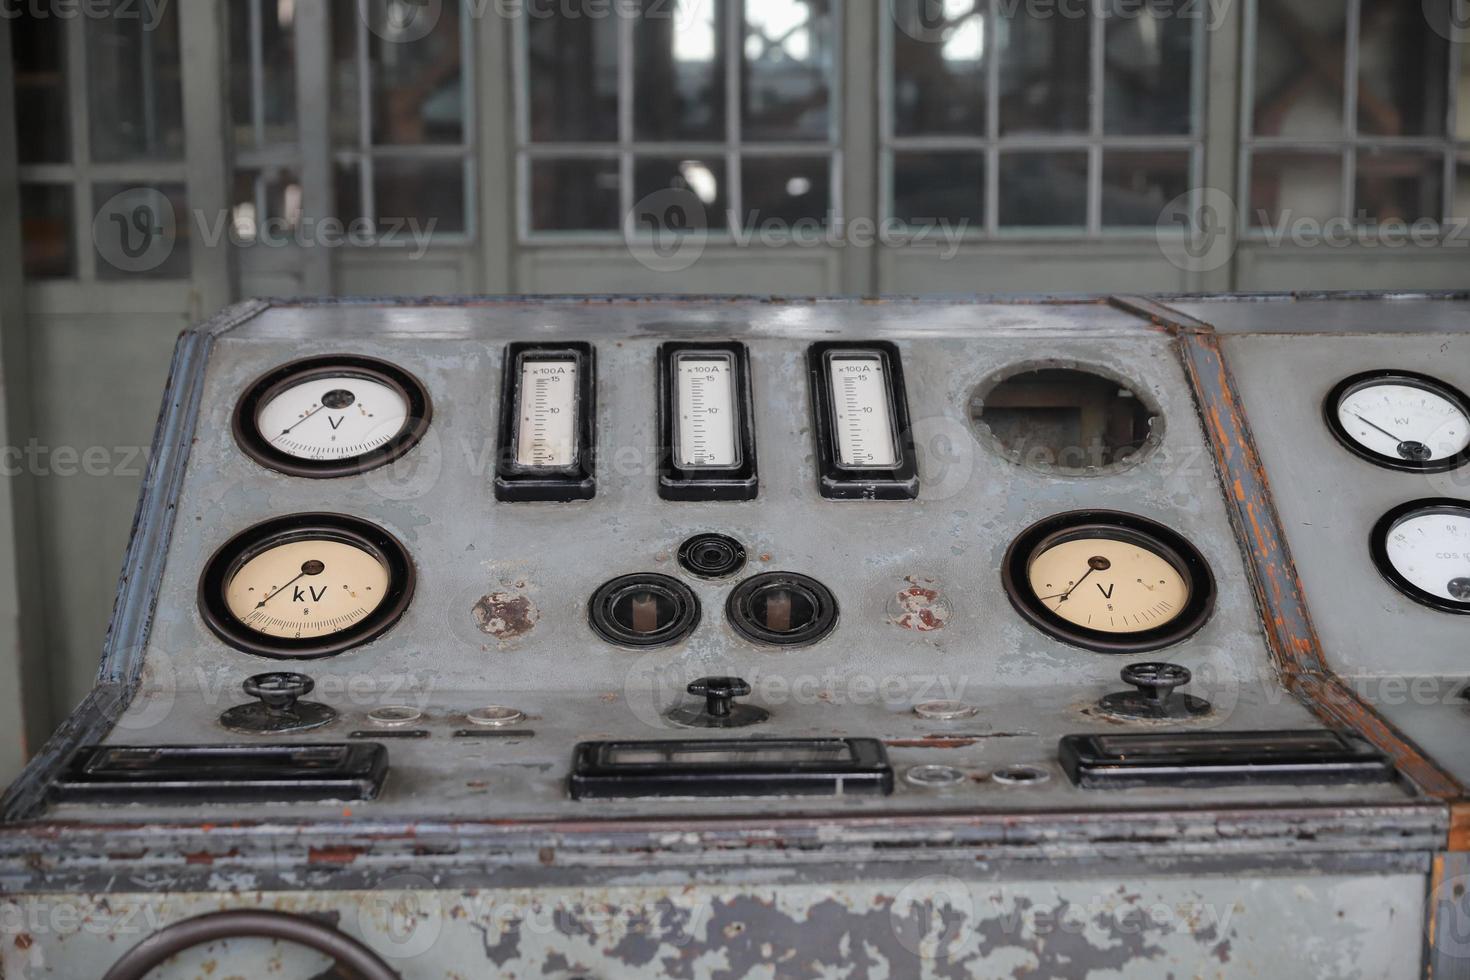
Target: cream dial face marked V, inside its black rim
1114	586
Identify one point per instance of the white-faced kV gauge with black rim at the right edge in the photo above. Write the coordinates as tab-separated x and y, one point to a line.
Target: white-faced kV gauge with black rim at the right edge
1402	421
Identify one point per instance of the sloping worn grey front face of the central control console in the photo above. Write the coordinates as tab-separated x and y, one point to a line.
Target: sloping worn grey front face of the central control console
840	616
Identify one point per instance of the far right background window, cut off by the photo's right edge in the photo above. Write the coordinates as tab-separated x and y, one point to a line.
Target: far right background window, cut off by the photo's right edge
1383	149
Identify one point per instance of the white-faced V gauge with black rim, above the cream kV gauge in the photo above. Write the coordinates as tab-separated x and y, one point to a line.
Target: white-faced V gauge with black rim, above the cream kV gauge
333	417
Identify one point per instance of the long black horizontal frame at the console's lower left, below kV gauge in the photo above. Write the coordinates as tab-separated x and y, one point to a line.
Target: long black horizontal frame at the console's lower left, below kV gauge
187	775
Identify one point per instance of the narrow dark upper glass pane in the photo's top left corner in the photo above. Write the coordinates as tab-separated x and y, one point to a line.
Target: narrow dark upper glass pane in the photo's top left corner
39	52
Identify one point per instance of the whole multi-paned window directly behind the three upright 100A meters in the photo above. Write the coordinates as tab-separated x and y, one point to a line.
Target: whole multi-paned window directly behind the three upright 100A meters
727	101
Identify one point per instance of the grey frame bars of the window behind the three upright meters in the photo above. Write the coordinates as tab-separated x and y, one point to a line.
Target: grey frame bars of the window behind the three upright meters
628	149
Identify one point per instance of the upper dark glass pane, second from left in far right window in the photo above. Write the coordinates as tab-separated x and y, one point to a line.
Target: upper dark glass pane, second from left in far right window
1403	65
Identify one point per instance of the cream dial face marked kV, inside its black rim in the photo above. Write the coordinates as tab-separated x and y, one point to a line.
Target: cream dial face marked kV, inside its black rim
306	588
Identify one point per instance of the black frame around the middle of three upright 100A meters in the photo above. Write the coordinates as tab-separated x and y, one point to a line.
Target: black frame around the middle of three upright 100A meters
706	483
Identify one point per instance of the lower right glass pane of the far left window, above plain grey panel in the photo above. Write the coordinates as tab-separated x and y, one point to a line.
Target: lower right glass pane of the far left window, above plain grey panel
142	231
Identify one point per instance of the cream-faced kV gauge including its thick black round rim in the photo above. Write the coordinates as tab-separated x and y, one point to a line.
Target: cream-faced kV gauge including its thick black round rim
308	586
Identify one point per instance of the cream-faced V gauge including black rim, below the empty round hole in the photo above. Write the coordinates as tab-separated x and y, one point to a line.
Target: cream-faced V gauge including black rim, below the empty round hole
1111	583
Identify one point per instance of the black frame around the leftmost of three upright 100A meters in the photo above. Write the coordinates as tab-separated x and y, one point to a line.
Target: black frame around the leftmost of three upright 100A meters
553	484
